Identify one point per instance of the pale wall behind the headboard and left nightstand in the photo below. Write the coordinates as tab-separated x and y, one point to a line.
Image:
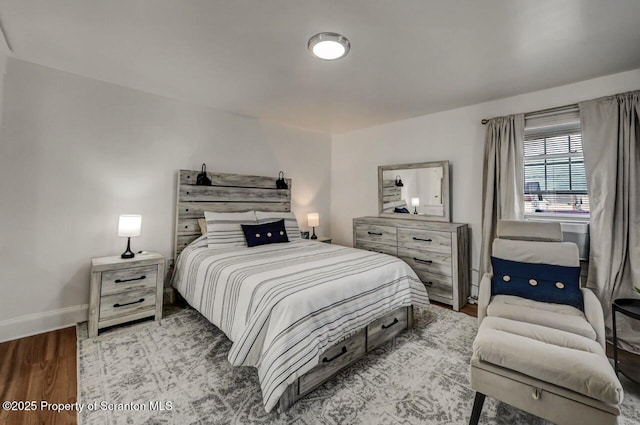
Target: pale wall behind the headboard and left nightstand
75	153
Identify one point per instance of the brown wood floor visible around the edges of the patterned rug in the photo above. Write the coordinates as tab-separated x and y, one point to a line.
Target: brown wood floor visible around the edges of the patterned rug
43	367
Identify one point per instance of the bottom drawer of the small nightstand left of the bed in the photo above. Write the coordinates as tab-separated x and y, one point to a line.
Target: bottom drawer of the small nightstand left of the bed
126	303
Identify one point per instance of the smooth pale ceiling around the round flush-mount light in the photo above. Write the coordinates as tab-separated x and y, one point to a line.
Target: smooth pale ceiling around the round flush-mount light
408	57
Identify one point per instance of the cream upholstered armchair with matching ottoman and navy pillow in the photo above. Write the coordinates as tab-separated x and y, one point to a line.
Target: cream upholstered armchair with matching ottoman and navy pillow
541	344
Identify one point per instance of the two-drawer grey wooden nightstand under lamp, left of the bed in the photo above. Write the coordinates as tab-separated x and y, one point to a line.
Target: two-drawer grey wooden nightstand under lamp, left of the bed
123	290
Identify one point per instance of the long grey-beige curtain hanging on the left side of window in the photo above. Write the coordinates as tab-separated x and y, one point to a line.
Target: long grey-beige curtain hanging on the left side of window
502	179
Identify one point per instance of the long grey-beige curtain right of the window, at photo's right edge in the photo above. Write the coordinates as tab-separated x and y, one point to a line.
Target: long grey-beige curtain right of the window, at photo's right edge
611	144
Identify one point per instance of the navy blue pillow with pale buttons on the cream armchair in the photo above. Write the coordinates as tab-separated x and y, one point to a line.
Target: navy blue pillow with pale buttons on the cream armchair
539	282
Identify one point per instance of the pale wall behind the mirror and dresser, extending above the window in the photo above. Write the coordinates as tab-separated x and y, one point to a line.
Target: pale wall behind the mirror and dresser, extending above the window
456	135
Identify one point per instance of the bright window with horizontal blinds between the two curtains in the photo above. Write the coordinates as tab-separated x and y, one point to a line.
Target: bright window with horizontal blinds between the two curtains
555	183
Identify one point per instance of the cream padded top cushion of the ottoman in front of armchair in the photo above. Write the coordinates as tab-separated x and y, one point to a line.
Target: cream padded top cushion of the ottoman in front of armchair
560	358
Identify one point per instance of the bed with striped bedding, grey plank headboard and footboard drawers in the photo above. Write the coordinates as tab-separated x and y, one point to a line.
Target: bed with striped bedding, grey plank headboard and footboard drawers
298	311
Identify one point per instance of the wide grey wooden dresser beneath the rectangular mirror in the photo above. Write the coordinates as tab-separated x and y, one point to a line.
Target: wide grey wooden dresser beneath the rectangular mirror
437	251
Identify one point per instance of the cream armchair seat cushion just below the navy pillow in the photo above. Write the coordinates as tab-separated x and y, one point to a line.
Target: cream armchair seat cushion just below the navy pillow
556	316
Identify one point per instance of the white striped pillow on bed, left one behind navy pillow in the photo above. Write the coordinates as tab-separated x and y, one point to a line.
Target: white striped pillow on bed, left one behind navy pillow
223	229
